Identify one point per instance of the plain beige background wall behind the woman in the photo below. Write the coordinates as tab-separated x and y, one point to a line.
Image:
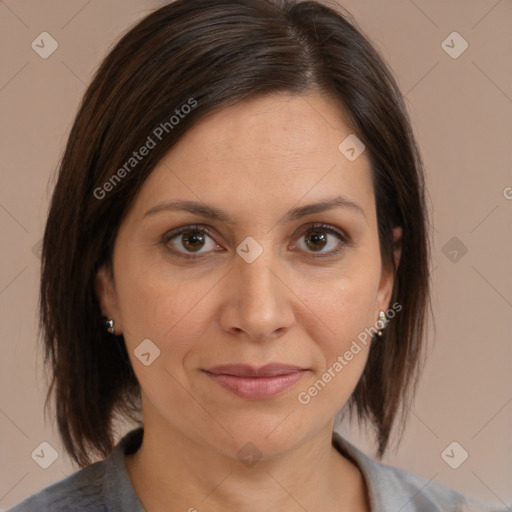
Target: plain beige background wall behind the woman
462	113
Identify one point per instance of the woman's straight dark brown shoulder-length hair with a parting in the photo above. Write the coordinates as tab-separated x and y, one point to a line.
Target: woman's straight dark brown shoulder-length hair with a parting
217	52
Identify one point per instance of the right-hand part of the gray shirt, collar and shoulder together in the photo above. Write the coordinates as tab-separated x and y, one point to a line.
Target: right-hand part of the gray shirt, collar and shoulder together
392	488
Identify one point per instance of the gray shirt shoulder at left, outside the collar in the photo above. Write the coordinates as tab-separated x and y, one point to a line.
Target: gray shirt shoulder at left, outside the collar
80	491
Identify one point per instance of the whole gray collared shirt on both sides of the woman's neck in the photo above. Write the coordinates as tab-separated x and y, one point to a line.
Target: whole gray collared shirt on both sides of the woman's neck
105	486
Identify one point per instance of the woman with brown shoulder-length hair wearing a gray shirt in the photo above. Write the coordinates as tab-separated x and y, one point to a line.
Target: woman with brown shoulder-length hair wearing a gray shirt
241	213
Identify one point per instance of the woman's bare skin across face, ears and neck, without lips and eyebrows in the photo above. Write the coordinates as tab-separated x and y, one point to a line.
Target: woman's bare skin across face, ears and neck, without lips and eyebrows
254	160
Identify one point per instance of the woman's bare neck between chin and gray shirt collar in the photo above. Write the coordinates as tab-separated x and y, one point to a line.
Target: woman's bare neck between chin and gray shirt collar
172	472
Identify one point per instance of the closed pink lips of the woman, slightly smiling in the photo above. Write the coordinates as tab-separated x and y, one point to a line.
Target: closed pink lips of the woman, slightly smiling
249	382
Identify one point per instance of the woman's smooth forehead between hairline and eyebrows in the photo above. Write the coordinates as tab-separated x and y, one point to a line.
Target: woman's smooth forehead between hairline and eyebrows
260	154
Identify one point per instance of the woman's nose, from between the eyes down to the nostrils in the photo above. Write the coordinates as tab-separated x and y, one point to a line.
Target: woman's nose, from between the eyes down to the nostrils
258	303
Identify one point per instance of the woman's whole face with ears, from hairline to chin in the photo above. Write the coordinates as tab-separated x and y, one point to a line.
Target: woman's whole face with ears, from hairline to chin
261	286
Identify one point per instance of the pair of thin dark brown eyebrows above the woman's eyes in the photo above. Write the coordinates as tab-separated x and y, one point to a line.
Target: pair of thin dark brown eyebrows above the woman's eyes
211	212
